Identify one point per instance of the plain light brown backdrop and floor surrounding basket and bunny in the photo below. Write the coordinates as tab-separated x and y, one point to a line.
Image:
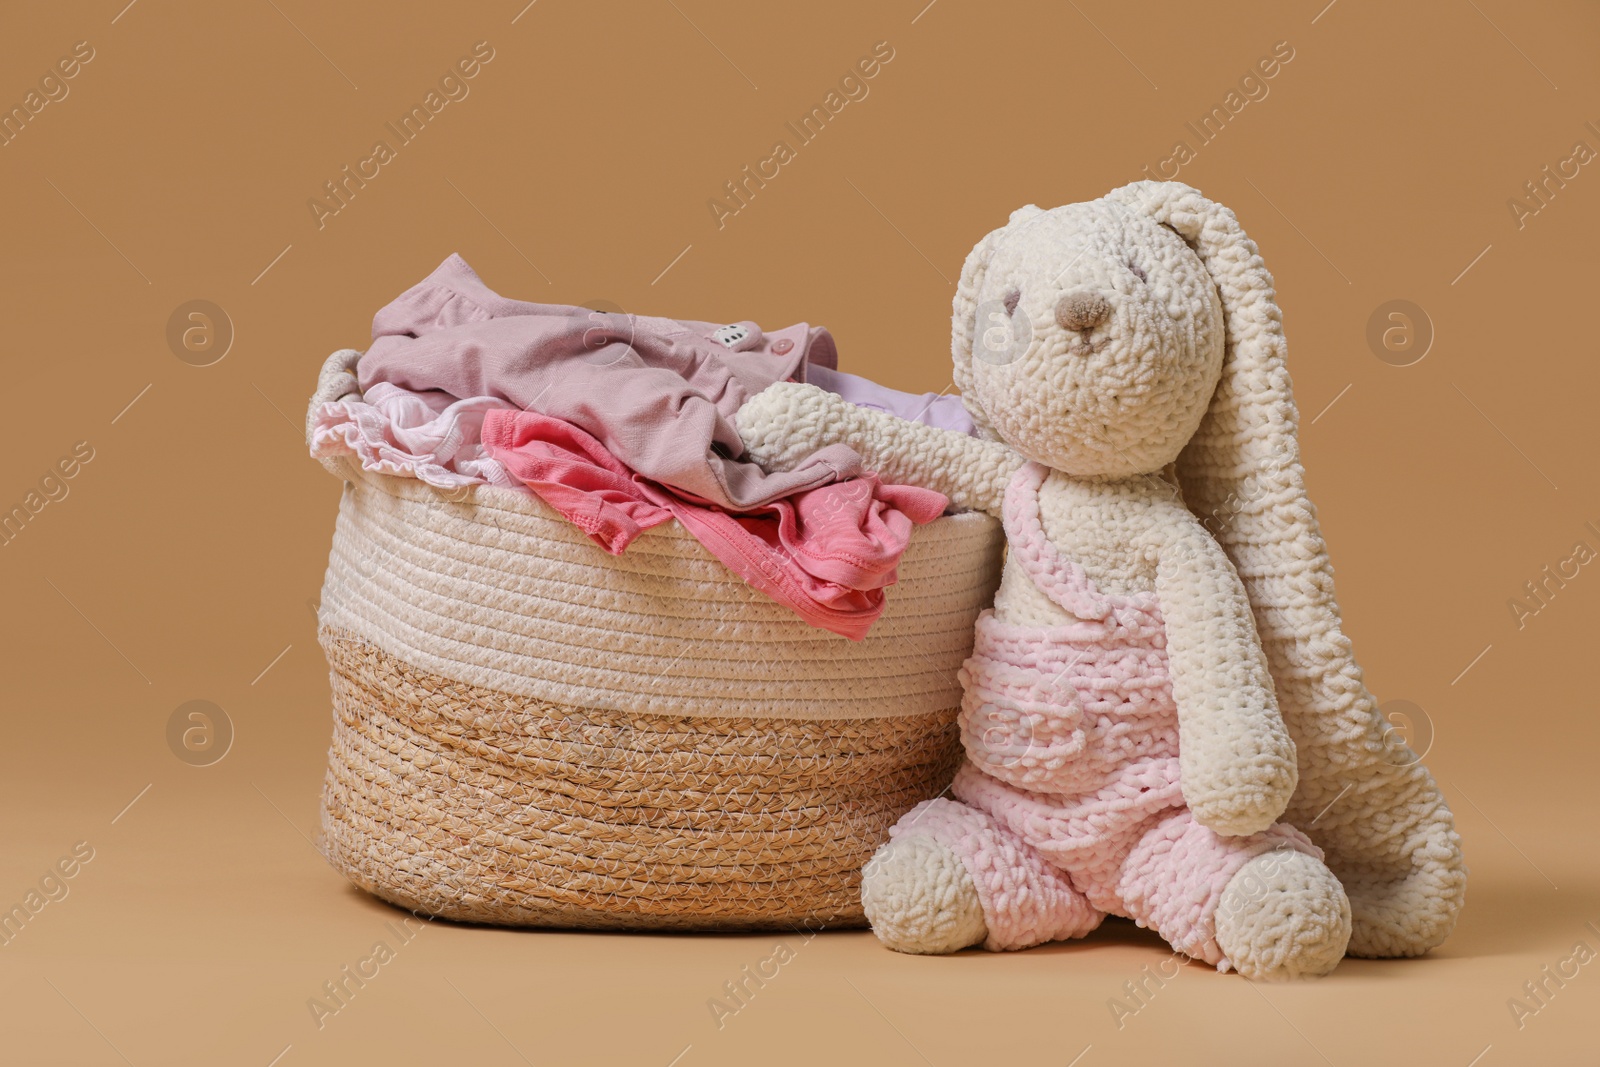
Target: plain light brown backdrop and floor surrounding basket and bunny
190	549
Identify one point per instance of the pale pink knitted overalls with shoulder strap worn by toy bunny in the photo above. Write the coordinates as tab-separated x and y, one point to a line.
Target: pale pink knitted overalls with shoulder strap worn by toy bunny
1073	807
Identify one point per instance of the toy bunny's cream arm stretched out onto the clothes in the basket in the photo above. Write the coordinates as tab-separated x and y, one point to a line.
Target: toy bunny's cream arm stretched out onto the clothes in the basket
788	422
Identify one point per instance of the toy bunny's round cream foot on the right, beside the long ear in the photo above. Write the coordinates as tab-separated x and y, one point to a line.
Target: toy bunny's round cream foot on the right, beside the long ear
1284	916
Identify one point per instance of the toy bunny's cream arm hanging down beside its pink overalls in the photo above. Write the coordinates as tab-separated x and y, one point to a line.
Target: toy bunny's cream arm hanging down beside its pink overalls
1236	756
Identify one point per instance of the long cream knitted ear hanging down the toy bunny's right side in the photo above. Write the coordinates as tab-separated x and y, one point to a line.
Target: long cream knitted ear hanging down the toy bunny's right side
1366	801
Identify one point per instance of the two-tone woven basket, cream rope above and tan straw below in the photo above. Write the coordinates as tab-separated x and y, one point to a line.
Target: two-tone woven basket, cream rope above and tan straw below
529	730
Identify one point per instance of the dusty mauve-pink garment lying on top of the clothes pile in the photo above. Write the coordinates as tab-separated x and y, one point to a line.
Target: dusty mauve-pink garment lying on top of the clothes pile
658	393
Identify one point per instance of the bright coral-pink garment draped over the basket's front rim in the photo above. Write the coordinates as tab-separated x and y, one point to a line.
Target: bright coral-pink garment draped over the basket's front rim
825	553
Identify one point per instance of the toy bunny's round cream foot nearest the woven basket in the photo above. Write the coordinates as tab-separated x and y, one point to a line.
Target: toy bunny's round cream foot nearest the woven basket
921	900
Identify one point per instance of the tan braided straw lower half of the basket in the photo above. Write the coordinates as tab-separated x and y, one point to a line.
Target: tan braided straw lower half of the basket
489	807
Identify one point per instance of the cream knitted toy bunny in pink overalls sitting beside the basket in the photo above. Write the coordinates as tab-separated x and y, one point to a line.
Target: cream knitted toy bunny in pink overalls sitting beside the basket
1161	693
